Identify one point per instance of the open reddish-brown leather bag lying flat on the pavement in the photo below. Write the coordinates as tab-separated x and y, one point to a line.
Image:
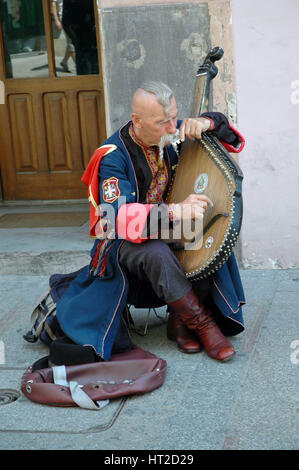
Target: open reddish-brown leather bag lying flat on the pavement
133	372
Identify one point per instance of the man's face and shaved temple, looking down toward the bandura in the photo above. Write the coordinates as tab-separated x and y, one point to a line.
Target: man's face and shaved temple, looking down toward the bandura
153	123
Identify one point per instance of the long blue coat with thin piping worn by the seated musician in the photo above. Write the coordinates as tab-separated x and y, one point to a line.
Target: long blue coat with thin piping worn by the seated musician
89	312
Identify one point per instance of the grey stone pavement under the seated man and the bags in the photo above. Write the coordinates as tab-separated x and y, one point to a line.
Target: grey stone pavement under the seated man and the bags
251	402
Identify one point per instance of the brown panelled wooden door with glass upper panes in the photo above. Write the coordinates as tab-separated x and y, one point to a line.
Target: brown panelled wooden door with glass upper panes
51	120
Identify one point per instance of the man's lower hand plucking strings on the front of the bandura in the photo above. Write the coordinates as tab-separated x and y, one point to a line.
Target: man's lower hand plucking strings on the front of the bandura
194	207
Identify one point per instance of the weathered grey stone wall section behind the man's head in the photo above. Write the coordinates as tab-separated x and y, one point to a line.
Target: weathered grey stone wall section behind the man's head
163	41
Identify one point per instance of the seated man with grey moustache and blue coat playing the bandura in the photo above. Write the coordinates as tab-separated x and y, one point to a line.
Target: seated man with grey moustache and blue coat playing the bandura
131	173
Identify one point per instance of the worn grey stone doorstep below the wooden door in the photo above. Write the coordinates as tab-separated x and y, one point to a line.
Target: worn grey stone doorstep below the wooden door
40	251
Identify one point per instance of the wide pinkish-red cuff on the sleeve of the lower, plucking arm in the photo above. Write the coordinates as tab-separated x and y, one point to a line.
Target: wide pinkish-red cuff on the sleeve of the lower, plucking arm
131	221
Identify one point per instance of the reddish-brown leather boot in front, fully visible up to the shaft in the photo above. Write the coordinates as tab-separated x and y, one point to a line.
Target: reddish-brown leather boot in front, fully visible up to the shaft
195	317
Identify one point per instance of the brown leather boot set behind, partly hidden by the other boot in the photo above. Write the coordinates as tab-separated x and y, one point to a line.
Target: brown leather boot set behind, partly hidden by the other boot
177	331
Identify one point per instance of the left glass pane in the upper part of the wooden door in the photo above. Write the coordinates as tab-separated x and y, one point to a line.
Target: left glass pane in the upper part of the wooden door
23	38
